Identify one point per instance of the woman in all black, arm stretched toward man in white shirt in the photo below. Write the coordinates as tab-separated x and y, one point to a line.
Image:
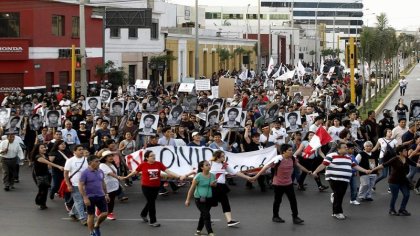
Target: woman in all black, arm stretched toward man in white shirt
41	174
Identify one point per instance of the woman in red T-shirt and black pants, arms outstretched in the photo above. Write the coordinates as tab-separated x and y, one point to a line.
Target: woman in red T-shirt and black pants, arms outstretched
150	171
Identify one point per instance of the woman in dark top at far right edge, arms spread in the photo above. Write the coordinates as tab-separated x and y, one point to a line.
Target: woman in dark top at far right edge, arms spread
398	181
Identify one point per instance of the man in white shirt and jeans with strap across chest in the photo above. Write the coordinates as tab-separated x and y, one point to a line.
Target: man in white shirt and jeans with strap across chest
72	171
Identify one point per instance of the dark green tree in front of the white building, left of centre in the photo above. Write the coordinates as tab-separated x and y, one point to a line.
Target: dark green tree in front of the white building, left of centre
115	75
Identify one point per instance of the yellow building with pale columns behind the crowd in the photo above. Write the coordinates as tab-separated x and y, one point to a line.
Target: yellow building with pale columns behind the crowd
182	47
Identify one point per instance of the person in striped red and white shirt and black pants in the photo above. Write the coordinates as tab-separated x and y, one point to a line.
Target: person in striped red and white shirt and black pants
338	172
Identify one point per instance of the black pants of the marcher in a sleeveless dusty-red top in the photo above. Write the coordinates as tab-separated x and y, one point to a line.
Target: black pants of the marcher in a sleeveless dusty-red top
278	195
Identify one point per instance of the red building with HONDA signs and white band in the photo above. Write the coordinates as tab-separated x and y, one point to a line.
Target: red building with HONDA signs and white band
35	42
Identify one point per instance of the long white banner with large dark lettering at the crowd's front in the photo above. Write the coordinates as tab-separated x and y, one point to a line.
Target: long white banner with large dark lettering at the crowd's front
184	159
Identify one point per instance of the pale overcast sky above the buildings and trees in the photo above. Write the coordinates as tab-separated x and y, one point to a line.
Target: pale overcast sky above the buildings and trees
402	14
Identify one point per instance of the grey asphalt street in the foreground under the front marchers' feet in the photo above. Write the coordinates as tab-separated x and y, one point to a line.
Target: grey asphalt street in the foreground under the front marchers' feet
20	216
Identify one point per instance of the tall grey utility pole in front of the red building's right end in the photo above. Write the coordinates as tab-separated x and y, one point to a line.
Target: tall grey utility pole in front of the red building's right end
83	82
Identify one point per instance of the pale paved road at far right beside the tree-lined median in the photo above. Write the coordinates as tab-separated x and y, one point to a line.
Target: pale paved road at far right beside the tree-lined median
412	93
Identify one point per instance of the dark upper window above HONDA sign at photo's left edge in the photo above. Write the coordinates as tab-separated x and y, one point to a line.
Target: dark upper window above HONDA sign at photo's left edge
9	24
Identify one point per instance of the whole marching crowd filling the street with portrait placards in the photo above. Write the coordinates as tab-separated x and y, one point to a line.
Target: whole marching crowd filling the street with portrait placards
77	148
